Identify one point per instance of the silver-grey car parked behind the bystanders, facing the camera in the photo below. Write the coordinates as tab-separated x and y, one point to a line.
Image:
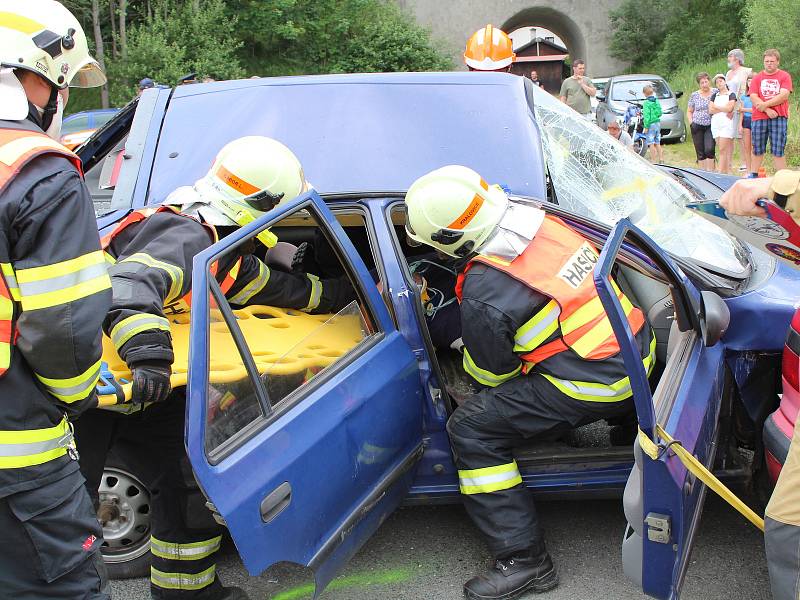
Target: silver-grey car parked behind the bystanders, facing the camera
621	89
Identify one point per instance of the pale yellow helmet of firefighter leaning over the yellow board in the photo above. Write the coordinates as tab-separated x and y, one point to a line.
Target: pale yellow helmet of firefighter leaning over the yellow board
250	176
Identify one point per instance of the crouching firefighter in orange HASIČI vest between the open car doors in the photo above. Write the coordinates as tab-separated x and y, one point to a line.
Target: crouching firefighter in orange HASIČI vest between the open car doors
537	341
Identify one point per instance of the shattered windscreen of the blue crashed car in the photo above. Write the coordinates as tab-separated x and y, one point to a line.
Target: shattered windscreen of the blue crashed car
595	176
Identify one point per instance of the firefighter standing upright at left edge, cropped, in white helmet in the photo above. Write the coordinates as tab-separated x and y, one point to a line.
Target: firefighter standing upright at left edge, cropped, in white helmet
54	291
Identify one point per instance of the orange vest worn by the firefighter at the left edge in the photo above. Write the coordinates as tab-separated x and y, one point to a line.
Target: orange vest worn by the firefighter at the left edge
17	148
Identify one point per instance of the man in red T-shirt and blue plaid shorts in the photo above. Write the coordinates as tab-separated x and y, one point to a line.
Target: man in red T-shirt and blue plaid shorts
769	92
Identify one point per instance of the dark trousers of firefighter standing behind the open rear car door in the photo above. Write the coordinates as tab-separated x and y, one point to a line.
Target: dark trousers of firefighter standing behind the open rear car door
183	556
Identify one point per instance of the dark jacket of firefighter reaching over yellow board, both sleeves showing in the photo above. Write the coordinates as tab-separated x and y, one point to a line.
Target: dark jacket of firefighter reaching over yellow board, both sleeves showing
152	271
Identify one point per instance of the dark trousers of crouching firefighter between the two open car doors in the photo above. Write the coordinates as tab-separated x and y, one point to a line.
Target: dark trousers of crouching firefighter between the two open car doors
483	433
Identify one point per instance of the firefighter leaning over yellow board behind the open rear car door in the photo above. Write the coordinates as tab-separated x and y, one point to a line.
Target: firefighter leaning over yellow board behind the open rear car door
151	274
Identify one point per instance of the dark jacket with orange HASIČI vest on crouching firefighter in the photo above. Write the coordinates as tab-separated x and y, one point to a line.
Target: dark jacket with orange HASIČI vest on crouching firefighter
511	326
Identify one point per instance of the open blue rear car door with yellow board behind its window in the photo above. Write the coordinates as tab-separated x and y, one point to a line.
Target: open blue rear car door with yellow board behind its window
309	477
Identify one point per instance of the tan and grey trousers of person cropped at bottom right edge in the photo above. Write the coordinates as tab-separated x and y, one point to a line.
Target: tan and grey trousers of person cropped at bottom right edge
782	527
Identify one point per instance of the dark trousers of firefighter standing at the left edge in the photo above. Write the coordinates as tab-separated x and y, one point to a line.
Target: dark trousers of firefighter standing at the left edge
50	543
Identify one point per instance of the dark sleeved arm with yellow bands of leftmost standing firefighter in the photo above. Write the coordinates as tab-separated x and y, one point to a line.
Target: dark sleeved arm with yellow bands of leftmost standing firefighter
64	289
